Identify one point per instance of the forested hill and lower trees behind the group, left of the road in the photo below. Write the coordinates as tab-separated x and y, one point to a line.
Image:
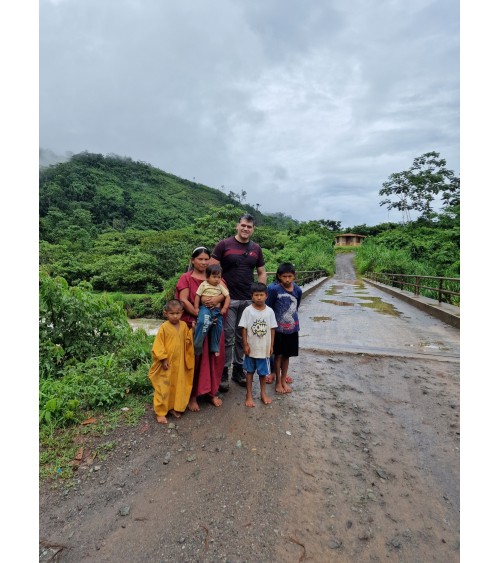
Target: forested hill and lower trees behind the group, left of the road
128	227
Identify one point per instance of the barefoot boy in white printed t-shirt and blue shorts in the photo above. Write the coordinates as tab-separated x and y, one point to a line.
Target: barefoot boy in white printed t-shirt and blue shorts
258	324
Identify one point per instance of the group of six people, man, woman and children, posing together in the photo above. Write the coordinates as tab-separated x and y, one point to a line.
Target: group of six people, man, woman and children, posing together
220	319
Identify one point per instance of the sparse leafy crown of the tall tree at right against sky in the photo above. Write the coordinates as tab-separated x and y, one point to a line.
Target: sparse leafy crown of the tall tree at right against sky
417	188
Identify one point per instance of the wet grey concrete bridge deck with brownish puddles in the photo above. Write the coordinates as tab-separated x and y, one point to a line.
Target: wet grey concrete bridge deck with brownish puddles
349	316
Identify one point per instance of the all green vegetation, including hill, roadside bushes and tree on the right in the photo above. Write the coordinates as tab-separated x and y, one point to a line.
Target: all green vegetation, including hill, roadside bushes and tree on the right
114	237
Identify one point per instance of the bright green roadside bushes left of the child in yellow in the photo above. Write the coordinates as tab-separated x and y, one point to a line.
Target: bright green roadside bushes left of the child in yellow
89	357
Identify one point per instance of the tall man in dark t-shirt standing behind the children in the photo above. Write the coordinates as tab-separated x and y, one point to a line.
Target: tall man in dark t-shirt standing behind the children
239	257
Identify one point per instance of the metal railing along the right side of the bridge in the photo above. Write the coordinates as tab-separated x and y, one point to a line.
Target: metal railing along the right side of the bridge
445	290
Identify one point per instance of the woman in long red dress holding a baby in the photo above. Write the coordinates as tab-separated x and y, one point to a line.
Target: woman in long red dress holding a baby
208	367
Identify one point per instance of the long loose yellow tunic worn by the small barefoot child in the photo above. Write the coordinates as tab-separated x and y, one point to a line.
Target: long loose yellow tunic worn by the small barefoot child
172	387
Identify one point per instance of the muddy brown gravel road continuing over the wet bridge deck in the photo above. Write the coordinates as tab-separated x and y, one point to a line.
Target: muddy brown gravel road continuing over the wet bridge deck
359	463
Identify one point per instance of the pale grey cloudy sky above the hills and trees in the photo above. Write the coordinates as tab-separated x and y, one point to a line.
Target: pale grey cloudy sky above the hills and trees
307	106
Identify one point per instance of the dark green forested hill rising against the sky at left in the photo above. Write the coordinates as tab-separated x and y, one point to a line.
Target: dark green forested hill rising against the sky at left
96	192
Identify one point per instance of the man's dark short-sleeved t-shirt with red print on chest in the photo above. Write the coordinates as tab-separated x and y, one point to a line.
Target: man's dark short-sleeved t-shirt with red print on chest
238	261
